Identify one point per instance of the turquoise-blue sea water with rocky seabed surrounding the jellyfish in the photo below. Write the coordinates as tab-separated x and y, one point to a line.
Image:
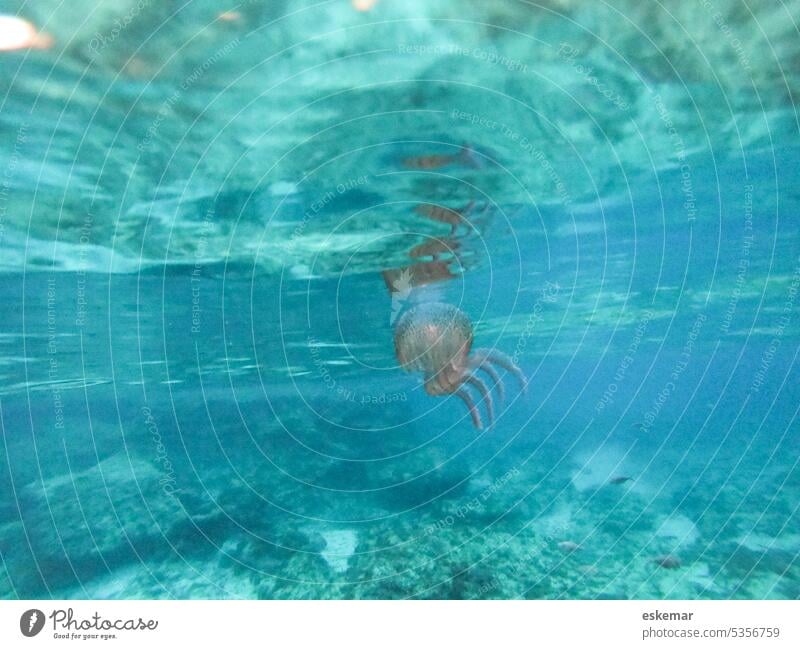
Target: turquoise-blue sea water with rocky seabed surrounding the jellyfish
210	225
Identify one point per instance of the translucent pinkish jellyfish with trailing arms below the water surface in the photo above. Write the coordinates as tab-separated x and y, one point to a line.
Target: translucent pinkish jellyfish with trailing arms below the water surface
436	339
